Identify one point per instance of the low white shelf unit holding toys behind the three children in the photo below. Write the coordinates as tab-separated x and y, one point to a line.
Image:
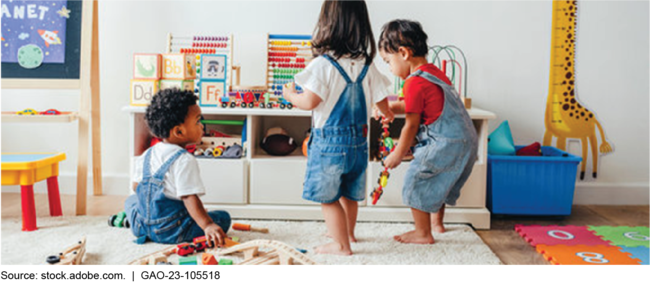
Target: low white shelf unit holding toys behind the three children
260	186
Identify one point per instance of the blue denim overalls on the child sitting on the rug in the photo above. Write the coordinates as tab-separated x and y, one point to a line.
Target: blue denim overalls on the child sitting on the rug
160	219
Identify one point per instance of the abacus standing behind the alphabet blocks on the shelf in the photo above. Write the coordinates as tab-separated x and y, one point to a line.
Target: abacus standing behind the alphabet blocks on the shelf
200	45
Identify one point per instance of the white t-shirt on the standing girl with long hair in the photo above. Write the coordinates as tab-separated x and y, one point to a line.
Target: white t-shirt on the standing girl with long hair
323	79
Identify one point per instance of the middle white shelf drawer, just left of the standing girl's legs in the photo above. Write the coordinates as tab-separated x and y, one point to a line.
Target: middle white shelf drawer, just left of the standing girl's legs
278	181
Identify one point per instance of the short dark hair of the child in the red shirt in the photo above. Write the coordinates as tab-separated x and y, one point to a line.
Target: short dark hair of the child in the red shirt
404	33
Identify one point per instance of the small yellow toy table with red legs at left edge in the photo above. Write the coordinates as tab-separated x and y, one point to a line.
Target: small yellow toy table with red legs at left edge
26	169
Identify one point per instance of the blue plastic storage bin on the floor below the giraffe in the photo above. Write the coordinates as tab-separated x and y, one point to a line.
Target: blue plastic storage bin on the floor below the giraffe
521	185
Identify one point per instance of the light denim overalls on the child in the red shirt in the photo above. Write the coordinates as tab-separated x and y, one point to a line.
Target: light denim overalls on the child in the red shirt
444	156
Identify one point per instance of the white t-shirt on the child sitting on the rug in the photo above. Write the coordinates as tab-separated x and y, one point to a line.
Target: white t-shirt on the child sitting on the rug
183	177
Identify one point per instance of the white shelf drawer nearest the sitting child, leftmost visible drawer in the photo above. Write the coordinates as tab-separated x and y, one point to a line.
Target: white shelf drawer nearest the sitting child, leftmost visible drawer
225	180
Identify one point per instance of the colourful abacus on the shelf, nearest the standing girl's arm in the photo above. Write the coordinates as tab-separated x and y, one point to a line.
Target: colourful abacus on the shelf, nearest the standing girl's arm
288	55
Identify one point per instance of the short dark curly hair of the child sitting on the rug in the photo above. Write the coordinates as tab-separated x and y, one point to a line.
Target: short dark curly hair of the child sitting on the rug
169	108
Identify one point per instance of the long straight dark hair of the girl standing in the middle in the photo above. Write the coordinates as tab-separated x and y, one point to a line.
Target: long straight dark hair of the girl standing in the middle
344	28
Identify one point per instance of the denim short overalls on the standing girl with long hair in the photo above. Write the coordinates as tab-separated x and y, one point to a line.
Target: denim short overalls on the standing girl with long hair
338	153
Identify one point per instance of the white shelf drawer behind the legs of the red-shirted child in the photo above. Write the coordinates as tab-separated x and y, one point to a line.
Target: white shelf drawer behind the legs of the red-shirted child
472	195
